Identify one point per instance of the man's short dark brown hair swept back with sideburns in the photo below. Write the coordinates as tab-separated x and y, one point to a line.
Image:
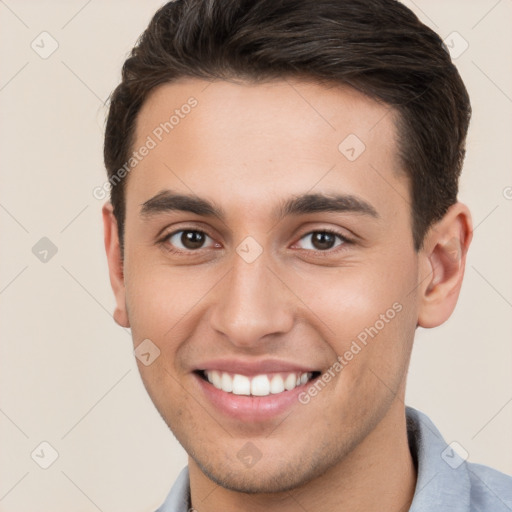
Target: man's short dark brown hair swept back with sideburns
379	47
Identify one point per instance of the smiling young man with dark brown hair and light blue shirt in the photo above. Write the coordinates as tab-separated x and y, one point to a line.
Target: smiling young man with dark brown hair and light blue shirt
283	217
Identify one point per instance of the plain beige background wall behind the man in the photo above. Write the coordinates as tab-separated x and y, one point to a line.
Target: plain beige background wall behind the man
68	376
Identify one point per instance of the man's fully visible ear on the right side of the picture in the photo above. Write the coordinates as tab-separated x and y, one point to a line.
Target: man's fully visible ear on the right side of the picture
443	260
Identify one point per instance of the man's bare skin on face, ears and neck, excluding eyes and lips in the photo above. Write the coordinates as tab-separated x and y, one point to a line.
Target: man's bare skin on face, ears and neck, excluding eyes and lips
248	148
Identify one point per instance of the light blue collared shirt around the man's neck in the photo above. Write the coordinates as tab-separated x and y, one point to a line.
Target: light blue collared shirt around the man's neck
445	481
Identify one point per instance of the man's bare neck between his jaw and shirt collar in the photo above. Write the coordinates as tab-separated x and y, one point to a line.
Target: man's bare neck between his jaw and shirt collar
379	474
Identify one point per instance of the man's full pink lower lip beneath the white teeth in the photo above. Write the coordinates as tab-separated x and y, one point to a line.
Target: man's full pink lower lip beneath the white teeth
251	408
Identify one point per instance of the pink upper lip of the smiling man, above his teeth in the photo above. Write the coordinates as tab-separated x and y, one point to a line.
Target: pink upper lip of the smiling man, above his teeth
251	368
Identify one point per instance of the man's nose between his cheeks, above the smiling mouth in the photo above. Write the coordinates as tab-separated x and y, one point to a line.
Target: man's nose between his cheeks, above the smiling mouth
252	304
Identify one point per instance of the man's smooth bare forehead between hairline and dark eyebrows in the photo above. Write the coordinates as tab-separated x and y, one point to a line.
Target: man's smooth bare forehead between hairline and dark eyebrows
253	143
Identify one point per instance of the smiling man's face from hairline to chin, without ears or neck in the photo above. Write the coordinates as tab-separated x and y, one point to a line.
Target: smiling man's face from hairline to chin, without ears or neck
268	243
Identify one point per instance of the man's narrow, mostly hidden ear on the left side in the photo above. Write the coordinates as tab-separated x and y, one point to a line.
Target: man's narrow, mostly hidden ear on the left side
115	264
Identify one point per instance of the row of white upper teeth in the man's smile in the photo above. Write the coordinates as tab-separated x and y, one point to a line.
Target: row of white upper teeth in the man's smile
259	385
